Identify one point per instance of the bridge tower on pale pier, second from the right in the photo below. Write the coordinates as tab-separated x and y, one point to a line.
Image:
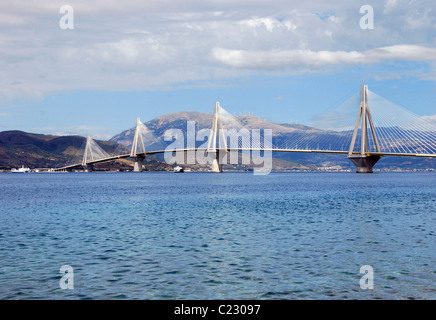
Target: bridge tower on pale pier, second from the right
217	145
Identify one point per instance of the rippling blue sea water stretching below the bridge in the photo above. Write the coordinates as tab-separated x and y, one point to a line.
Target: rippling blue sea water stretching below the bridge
218	236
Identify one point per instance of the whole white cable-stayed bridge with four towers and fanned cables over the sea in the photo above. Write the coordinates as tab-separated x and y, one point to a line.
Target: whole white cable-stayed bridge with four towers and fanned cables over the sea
365	128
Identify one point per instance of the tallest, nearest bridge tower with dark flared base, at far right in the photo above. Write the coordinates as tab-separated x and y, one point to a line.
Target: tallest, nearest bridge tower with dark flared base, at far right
363	160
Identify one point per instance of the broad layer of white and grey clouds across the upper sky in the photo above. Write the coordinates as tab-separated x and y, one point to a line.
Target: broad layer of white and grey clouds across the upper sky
139	45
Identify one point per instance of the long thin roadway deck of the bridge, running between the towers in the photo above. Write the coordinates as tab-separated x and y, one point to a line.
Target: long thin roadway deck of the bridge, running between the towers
124	156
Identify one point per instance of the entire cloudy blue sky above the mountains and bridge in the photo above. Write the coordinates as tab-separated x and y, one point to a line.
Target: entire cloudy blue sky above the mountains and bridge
284	61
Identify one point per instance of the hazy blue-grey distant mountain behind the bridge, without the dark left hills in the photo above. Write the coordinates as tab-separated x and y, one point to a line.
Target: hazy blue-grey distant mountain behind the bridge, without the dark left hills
282	132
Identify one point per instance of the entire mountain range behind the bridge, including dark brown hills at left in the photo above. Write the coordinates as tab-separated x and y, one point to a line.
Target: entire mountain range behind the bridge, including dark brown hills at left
19	148
